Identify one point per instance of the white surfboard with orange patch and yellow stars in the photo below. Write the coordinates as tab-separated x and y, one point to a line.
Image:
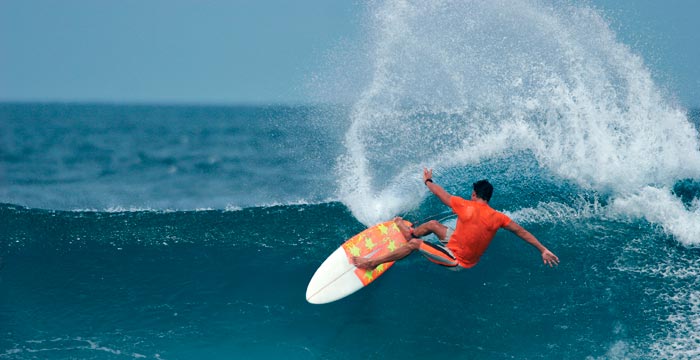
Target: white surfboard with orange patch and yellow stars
337	277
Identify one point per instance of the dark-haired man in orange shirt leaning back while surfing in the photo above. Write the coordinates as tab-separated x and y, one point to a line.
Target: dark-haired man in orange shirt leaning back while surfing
477	224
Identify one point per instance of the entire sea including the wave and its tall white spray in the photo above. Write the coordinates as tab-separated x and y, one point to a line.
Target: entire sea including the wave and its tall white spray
191	232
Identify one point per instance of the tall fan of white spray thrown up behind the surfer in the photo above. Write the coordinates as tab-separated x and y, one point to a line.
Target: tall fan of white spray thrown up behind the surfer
452	83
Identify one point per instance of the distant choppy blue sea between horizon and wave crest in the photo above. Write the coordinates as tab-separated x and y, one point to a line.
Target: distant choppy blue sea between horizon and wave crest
162	157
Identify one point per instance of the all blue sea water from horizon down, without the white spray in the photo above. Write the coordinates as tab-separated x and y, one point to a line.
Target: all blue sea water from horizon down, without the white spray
229	282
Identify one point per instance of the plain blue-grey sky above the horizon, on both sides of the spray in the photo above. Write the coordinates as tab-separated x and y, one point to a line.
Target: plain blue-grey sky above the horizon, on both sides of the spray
249	52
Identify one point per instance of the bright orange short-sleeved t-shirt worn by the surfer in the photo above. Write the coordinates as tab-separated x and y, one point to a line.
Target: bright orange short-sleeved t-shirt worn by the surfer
477	224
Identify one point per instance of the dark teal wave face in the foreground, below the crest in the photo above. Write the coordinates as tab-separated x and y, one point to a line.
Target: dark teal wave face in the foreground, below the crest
231	284
